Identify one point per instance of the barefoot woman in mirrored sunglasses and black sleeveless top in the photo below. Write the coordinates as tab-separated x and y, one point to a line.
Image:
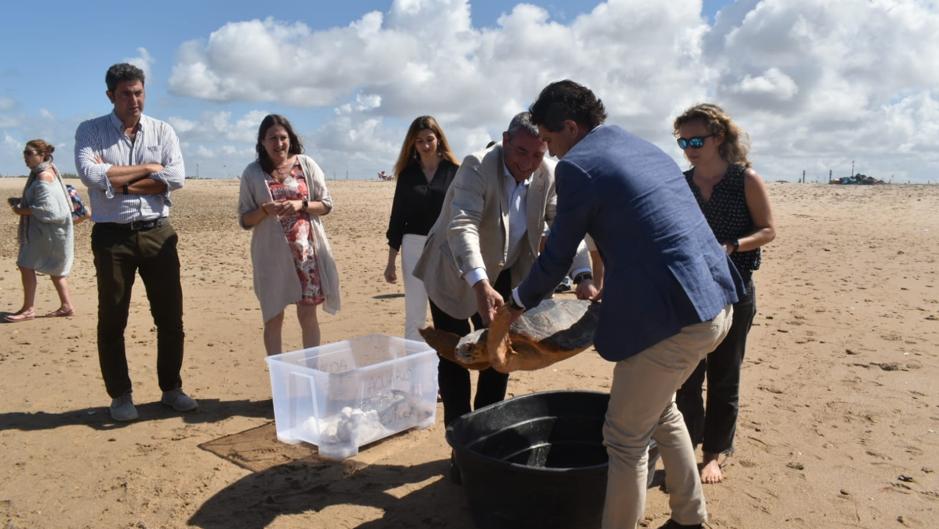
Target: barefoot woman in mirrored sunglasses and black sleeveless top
734	200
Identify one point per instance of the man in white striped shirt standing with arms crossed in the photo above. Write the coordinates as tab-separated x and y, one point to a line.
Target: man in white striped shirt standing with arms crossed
130	163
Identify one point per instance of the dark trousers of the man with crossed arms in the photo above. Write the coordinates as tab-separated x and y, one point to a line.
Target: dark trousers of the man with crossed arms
119	255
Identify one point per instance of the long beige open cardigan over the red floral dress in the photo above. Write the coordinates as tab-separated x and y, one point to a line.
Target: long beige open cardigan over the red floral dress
275	277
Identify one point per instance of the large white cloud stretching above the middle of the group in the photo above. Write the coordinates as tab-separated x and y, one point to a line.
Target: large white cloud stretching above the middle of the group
426	57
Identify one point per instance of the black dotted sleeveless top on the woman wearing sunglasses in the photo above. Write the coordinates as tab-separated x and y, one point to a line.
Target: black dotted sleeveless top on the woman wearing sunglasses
728	215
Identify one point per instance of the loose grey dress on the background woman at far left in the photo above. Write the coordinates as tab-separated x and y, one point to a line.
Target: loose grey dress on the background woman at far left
45	237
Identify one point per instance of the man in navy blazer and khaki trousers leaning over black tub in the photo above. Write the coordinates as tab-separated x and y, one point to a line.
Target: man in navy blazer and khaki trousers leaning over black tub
667	290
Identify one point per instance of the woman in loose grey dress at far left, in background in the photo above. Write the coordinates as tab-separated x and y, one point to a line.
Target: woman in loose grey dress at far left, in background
45	231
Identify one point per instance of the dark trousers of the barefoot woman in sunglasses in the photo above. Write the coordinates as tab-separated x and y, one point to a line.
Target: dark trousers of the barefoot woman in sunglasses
714	424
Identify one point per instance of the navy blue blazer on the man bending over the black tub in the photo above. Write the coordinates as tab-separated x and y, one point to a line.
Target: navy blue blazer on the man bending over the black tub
664	268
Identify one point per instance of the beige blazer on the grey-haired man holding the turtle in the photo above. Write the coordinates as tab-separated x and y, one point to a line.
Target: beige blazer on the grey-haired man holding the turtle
472	231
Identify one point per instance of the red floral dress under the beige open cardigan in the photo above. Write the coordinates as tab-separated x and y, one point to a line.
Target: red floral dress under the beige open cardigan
299	234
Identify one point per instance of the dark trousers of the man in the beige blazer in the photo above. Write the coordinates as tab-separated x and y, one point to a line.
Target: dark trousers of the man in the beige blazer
454	379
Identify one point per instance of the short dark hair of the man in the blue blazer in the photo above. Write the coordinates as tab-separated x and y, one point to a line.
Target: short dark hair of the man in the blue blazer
567	100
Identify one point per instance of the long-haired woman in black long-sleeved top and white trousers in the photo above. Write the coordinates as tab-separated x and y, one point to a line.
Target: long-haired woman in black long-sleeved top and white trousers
424	170
